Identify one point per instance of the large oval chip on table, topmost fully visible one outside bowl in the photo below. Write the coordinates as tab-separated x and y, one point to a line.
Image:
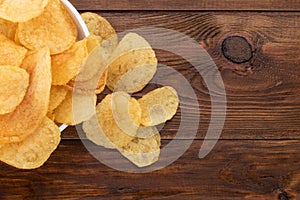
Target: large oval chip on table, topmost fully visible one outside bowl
132	69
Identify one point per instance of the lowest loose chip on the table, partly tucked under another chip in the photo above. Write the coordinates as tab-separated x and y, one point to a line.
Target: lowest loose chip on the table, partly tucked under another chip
142	152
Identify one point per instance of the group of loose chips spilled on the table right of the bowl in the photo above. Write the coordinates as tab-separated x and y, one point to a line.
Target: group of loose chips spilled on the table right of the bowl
120	121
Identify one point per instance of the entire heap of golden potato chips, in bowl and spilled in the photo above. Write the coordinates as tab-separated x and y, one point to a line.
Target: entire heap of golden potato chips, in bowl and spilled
44	69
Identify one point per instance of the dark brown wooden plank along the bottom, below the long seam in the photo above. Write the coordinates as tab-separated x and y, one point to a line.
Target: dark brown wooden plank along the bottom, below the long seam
237	169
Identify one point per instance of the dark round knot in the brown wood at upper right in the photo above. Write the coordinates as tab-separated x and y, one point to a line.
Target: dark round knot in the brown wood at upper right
237	49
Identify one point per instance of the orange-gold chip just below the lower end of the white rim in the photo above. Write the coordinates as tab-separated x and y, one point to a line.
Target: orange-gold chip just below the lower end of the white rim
66	65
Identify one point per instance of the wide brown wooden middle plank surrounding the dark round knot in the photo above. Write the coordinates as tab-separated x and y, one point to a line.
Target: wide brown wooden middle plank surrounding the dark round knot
262	95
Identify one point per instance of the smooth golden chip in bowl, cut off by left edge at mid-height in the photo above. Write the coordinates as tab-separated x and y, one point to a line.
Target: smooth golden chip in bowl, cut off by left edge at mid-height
13	86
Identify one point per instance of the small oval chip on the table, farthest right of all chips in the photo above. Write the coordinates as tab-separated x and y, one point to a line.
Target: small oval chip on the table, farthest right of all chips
158	106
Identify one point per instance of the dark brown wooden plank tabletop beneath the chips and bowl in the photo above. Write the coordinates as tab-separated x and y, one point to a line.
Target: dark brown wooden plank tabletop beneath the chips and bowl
258	154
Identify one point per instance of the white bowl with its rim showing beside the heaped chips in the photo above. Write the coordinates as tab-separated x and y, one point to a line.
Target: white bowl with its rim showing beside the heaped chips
83	31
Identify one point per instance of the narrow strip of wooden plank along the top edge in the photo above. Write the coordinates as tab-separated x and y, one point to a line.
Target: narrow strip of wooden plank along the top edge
187	5
